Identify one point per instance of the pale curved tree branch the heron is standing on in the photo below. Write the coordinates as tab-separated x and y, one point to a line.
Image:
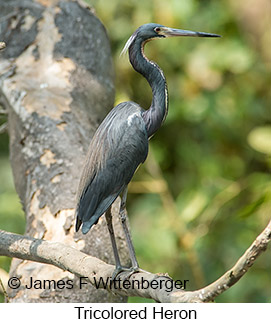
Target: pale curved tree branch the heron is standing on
83	265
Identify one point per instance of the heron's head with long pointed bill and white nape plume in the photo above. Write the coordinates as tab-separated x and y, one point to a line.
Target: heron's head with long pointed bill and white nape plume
151	31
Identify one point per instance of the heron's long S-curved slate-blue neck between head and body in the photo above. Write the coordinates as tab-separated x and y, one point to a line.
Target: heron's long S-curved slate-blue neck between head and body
157	112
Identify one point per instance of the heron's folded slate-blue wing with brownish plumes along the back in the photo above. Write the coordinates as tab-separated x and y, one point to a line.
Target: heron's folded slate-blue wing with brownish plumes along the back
118	147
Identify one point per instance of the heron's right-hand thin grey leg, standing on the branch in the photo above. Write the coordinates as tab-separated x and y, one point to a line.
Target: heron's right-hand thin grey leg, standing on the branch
123	217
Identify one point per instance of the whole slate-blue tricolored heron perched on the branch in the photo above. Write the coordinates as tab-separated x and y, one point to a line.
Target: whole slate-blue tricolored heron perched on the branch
120	144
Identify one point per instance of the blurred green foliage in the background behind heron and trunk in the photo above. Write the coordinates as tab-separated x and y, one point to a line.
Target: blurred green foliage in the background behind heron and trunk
204	193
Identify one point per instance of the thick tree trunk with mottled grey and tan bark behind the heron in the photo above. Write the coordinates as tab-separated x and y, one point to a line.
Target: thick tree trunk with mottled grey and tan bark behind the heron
57	85
